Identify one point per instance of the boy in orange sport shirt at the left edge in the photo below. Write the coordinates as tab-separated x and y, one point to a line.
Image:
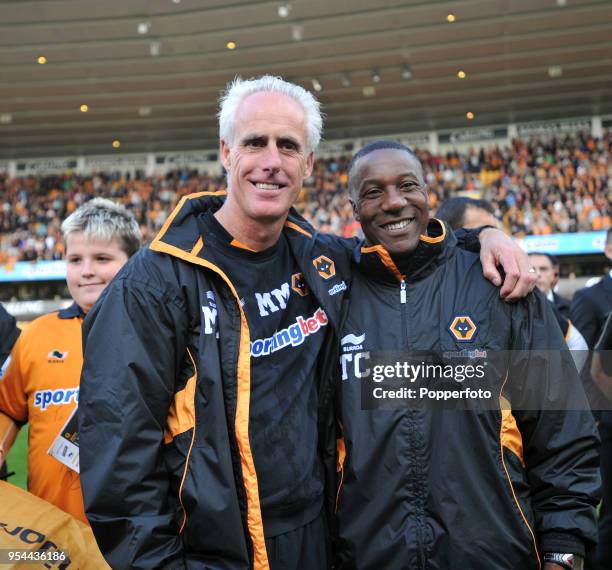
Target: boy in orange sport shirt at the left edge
40	385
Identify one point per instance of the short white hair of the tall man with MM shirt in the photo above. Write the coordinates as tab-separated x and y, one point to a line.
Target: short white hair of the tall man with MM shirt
239	89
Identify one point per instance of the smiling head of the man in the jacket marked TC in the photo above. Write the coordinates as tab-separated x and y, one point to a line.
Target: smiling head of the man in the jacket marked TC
390	199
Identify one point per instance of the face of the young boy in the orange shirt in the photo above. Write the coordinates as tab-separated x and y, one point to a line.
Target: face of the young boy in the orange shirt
91	266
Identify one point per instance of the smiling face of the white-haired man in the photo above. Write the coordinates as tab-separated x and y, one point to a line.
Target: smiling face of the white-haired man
267	161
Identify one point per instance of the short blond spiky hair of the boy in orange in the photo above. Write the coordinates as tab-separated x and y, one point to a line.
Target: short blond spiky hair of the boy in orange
104	220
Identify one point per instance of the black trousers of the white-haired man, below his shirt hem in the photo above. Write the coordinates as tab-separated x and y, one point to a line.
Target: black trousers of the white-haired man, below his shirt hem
305	548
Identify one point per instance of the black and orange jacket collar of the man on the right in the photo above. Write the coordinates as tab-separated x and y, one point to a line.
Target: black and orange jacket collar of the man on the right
434	248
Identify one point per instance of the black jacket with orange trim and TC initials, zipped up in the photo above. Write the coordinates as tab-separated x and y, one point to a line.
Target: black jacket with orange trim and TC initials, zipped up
454	489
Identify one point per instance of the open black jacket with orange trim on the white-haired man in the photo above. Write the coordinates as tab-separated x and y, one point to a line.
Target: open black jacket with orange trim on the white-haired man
166	465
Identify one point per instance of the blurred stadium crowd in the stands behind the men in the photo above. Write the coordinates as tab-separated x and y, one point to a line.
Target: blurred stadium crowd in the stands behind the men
536	187
